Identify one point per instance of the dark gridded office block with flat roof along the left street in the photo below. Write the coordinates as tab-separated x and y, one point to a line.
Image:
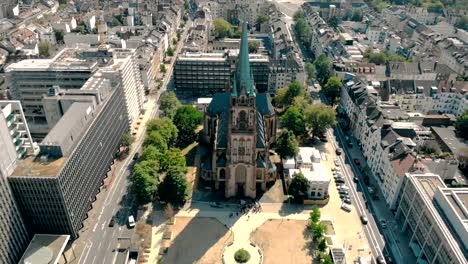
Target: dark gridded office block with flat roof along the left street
56	188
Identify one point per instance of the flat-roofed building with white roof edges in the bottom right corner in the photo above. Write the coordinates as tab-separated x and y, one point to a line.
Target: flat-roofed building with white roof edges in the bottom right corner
435	218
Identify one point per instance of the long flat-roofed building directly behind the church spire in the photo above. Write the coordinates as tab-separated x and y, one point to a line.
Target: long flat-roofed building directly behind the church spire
204	74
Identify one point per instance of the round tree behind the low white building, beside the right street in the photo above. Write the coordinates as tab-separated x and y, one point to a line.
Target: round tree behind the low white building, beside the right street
319	117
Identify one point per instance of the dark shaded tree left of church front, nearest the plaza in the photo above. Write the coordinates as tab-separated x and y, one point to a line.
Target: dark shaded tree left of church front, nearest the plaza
173	189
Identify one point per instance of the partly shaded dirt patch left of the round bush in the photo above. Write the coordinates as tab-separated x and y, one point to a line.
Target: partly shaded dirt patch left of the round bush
197	240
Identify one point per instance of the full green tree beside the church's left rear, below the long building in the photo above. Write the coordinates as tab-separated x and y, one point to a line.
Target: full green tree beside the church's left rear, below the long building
187	119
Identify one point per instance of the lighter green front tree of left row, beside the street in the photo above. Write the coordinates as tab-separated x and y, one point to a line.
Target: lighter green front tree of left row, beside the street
145	180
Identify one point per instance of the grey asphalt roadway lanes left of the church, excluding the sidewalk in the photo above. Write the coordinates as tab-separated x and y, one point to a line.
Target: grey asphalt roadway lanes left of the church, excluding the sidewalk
101	239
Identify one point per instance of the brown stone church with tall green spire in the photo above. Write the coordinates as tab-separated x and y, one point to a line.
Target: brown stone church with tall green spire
239	127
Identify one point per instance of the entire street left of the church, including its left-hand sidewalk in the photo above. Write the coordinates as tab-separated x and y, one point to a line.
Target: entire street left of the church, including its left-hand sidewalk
98	241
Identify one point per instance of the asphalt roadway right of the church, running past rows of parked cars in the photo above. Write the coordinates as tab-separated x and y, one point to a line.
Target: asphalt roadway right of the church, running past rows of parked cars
371	230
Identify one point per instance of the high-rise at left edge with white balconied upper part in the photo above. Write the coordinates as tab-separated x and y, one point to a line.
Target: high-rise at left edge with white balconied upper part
14	142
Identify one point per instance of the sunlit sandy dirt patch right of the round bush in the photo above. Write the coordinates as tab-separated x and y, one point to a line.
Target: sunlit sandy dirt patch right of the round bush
283	241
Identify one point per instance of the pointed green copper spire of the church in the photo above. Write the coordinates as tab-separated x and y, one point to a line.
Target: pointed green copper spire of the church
244	79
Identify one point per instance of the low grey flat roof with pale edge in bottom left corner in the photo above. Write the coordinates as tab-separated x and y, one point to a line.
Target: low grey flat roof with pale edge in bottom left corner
45	249
